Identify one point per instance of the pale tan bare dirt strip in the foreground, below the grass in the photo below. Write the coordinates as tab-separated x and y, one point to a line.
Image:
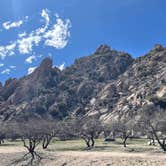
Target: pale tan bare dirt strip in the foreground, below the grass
86	158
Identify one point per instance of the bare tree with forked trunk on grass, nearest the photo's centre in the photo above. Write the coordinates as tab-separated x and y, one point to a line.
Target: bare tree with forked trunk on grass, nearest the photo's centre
87	128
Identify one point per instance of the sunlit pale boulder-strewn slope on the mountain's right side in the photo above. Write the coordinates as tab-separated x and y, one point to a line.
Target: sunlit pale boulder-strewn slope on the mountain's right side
143	80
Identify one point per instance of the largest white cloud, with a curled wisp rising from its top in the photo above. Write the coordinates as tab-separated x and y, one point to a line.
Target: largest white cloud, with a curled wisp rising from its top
56	37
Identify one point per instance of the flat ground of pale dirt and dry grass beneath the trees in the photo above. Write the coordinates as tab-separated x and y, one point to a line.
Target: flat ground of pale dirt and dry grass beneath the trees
73	153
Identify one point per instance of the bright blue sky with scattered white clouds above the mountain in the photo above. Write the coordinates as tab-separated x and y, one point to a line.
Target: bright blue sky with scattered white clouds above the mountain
65	30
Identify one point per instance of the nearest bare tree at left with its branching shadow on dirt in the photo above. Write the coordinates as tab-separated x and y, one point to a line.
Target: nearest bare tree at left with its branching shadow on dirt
30	133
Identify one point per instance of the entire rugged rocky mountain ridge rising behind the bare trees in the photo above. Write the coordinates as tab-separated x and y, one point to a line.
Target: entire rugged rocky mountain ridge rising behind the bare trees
108	83
